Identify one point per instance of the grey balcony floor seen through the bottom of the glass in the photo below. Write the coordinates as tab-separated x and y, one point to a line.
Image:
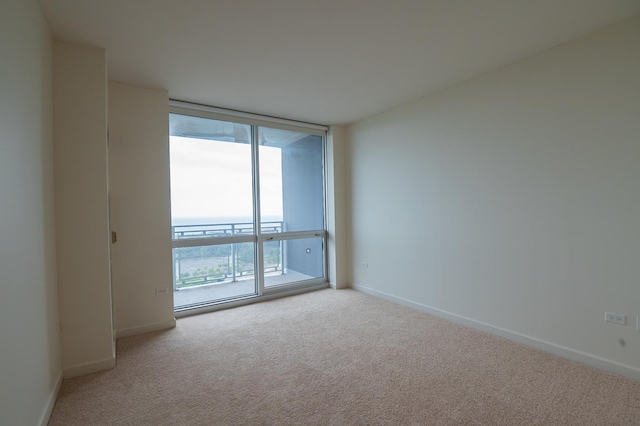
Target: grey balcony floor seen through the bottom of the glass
242	287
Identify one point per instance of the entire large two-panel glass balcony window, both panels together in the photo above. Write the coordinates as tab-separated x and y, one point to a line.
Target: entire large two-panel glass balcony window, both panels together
247	205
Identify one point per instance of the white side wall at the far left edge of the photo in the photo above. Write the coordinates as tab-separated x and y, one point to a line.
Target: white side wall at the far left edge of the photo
29	341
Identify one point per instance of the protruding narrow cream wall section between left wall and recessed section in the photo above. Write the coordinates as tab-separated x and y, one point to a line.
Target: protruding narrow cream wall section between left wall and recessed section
82	225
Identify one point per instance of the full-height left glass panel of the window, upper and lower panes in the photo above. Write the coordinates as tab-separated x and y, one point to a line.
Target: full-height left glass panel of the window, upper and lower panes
211	209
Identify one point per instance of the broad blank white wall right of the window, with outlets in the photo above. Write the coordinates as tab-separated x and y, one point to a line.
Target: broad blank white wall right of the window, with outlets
513	199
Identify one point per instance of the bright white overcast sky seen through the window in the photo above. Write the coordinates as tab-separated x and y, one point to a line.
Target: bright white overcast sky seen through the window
213	179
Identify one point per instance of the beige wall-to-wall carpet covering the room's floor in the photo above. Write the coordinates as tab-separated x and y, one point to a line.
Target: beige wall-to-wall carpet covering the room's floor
339	358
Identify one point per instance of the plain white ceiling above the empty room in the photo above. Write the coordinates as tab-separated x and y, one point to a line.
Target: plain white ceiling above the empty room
322	61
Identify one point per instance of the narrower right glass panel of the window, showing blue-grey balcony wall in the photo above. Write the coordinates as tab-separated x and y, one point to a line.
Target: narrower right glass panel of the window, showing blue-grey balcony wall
296	177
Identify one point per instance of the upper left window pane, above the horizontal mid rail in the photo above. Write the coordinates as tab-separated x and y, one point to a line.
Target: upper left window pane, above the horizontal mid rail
211	171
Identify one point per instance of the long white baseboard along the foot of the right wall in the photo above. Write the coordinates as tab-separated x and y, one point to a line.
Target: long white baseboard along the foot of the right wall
562	351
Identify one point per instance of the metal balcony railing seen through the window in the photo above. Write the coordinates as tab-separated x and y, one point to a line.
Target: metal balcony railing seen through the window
222	263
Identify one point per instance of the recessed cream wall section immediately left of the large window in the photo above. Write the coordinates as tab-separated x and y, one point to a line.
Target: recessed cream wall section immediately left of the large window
140	208
